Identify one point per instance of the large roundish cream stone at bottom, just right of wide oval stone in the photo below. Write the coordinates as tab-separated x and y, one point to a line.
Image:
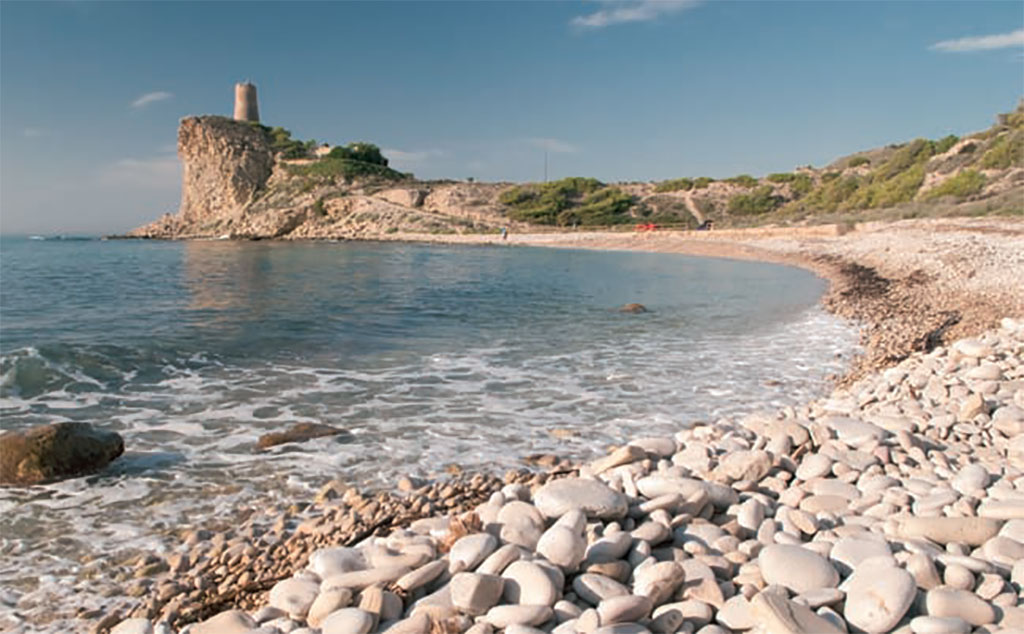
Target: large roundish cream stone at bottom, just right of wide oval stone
877	598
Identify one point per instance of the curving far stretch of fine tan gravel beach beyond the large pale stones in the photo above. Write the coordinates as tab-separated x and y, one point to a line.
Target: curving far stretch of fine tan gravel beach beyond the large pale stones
903	304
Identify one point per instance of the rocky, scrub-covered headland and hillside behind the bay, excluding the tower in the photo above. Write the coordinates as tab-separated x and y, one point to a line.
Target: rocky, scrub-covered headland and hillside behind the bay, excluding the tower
249	182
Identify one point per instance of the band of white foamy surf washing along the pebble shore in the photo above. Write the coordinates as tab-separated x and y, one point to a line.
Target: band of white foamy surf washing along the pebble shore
192	435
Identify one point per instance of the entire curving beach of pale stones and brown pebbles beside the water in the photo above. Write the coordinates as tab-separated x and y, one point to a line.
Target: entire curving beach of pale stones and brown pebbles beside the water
894	503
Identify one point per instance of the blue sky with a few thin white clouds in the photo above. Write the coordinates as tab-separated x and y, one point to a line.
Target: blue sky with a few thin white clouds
92	94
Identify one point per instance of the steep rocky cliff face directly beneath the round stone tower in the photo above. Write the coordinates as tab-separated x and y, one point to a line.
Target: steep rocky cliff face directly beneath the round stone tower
227	163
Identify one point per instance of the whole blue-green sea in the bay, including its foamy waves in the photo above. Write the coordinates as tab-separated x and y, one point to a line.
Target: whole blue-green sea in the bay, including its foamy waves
424	356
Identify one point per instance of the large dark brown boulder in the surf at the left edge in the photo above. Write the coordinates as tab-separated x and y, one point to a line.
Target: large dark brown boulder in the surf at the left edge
56	452
